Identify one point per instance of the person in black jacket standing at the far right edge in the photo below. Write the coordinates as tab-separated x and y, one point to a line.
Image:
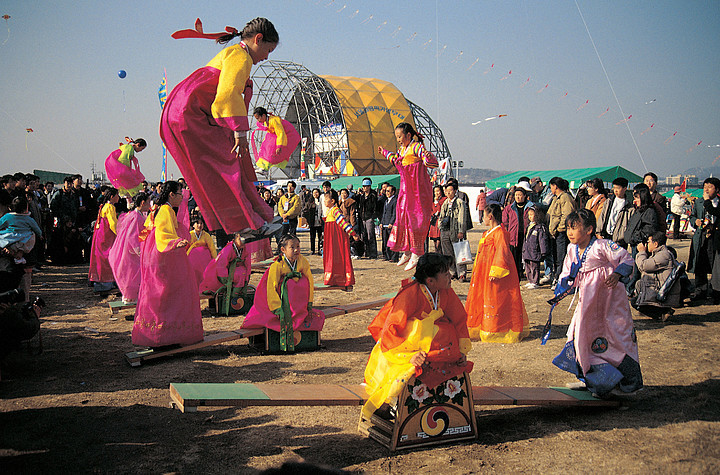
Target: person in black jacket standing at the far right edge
705	246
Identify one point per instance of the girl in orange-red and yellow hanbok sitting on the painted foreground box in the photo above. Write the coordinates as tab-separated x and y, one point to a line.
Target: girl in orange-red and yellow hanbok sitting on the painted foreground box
421	332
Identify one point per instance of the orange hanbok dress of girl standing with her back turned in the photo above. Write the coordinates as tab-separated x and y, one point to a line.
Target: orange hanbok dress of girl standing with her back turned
495	309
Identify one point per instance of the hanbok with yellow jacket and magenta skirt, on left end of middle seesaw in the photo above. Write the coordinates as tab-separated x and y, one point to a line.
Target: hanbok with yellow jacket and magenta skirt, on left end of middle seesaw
168	308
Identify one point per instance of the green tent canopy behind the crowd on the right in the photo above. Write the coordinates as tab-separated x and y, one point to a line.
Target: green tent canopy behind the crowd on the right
576	176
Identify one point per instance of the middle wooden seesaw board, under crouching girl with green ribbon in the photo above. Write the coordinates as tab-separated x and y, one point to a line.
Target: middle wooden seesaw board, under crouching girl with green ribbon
136	358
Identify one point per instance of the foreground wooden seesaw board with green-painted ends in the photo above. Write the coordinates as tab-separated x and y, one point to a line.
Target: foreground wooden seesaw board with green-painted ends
189	396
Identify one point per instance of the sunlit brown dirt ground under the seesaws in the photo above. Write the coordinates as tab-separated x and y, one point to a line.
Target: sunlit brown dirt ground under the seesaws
79	407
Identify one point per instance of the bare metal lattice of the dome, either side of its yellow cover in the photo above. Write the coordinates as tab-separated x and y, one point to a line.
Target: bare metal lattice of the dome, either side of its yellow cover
293	92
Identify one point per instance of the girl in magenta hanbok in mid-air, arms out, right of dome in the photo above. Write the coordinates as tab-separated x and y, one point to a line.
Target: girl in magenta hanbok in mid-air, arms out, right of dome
415	198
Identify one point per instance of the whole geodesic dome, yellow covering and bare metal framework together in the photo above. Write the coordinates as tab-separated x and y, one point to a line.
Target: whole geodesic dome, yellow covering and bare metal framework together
341	120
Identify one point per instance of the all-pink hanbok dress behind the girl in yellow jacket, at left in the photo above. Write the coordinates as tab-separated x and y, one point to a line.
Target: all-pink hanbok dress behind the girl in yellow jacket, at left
124	255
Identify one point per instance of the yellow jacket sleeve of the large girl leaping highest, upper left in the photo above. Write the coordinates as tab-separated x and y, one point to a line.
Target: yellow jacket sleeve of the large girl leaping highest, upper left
234	64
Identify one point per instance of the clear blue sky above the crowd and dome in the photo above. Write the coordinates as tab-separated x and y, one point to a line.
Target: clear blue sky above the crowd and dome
60	61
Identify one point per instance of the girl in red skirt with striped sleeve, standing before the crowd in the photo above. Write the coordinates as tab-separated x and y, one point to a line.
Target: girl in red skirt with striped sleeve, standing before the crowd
337	262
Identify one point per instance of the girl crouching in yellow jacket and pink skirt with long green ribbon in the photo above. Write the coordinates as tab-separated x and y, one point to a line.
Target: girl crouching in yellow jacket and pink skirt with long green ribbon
284	297
